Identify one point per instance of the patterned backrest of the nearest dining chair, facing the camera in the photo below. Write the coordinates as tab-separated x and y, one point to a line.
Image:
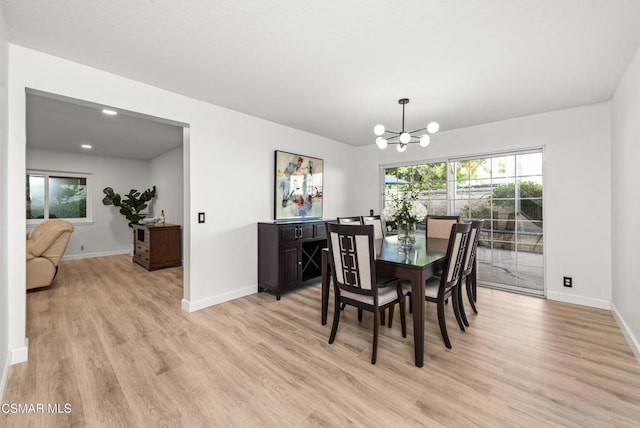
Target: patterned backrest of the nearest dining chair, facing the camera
351	253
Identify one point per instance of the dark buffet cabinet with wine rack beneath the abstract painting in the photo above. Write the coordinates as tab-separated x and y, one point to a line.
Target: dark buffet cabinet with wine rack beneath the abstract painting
289	254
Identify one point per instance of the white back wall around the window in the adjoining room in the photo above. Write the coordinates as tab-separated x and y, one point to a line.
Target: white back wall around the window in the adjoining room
108	233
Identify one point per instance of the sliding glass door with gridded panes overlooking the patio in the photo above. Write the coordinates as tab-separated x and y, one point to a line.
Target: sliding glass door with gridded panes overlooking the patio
505	190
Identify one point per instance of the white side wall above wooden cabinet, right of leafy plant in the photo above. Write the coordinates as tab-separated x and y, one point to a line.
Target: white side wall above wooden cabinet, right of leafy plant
165	172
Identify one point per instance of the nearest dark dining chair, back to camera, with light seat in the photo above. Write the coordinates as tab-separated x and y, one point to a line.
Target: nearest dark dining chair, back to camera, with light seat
353	269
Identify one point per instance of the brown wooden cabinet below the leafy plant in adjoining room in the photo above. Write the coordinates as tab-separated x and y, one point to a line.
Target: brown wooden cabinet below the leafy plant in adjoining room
156	247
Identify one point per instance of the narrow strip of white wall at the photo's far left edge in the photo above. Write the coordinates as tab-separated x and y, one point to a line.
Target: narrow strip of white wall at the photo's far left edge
4	249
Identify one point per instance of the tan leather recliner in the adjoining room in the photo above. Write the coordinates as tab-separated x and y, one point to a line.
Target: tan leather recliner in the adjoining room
45	247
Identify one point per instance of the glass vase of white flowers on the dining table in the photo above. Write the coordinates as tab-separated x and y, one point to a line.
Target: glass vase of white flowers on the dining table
407	212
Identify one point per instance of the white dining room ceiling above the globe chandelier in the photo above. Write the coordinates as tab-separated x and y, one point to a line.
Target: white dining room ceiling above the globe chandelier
336	68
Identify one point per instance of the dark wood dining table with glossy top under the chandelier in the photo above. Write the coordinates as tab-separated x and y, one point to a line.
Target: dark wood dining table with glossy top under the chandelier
415	265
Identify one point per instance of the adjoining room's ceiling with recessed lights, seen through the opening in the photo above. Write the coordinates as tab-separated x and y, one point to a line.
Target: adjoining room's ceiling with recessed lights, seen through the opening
64	124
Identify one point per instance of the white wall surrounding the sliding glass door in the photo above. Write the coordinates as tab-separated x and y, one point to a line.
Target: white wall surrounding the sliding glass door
577	172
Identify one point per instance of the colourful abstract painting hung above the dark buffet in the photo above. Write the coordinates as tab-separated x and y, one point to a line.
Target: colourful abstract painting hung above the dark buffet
298	192
